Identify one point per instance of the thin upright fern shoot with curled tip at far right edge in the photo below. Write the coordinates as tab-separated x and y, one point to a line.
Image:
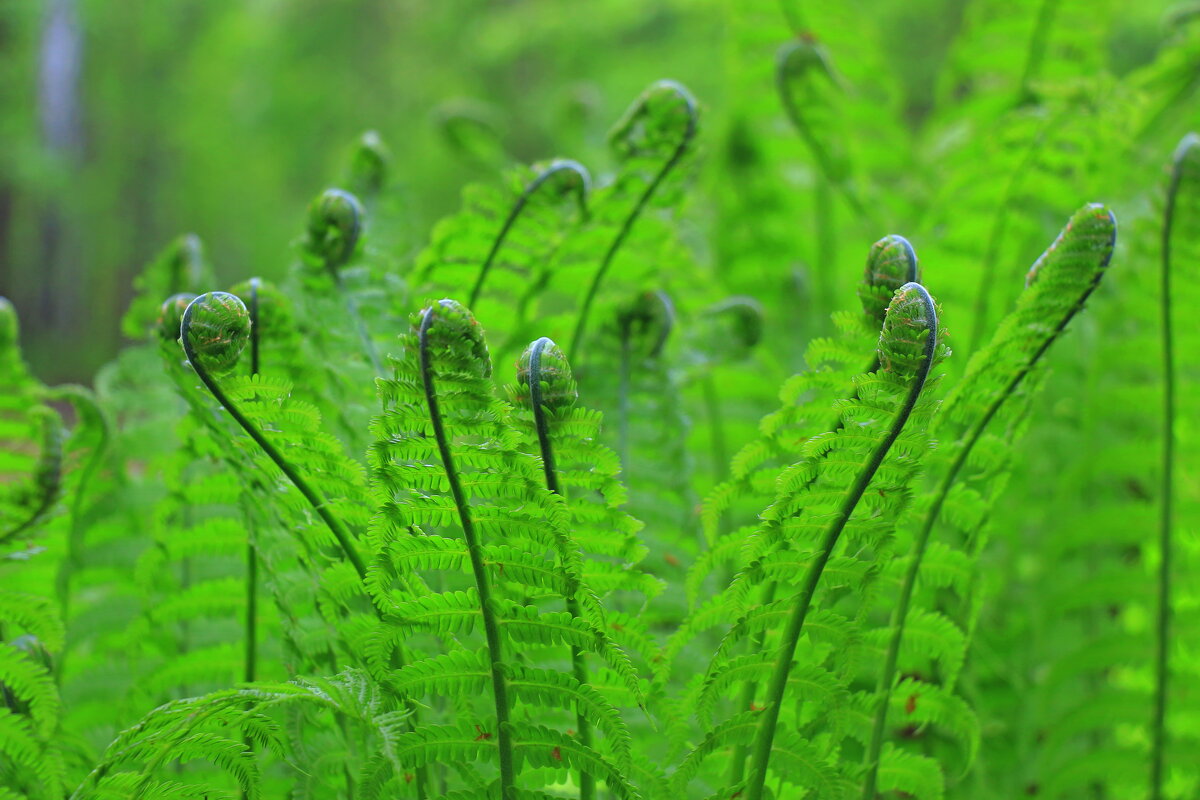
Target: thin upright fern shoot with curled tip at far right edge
1185	173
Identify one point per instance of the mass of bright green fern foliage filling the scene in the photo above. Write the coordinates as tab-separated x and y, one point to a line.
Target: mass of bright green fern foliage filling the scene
754	531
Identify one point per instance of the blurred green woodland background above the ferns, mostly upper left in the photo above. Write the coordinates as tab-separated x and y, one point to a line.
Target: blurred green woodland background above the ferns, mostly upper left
128	124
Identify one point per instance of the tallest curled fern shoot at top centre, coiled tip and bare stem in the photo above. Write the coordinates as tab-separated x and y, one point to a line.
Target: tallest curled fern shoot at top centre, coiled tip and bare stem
665	99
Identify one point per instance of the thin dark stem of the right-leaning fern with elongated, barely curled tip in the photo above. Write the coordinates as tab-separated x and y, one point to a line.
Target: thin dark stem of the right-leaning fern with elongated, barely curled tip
887	678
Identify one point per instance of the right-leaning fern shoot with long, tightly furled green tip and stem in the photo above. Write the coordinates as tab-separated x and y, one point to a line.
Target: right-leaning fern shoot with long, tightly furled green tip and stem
1061	281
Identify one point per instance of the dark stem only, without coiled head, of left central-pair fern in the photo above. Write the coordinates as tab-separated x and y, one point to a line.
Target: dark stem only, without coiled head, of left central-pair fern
488	611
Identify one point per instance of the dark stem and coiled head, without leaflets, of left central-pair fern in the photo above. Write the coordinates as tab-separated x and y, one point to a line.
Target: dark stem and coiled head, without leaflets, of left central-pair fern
459	324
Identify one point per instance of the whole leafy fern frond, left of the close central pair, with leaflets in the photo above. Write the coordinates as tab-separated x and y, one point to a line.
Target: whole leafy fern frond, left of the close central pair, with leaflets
485	512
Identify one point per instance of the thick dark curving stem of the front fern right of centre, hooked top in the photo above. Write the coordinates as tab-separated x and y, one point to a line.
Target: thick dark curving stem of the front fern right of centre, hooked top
776	689
